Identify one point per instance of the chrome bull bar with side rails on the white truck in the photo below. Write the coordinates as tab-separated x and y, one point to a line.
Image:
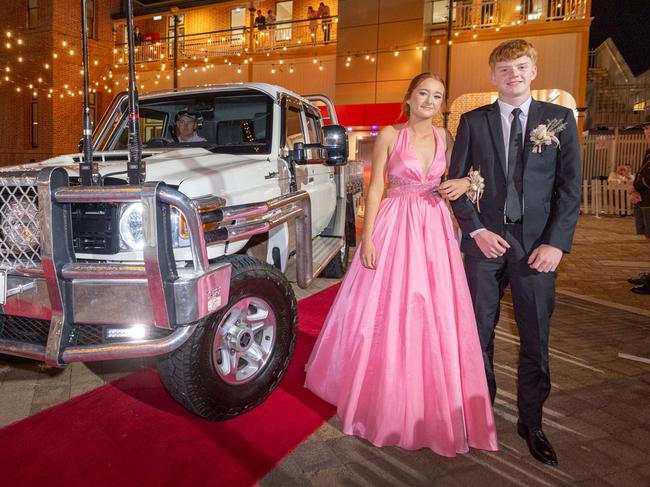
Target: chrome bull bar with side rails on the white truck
67	292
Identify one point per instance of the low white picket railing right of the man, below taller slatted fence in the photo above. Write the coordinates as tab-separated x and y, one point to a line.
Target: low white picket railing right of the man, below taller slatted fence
600	197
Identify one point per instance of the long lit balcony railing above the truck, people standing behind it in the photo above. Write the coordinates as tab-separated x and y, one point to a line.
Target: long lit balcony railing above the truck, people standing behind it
236	43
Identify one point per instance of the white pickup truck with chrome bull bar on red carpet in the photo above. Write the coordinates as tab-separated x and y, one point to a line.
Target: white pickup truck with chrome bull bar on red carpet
189	266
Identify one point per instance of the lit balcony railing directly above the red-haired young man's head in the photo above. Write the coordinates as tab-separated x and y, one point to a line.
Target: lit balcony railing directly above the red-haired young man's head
472	14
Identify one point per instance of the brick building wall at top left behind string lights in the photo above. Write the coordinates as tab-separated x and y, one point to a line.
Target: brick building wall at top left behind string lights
59	120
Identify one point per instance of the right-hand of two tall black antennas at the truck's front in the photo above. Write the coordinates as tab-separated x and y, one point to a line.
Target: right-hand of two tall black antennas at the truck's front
136	171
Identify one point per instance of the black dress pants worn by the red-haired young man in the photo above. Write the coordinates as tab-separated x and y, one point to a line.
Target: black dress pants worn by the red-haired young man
533	297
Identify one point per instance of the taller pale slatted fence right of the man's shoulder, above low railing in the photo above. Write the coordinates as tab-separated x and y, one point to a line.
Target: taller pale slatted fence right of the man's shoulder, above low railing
602	154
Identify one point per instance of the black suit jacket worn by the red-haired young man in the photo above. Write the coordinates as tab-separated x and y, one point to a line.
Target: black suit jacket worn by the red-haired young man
551	179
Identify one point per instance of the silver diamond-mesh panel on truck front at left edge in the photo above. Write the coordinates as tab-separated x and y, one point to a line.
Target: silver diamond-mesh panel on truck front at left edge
19	223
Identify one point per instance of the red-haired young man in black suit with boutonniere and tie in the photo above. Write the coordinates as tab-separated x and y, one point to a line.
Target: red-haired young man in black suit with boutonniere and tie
526	221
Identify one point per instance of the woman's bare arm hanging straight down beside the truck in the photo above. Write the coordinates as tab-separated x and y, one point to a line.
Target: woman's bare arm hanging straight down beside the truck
380	155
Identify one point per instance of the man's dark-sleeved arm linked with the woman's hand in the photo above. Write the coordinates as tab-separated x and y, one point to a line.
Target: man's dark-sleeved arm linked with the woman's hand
465	212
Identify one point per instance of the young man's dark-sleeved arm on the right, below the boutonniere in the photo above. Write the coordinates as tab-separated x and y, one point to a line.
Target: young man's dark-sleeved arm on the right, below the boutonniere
565	206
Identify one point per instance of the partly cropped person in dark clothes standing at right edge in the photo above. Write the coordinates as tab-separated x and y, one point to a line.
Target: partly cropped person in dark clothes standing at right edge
640	197
